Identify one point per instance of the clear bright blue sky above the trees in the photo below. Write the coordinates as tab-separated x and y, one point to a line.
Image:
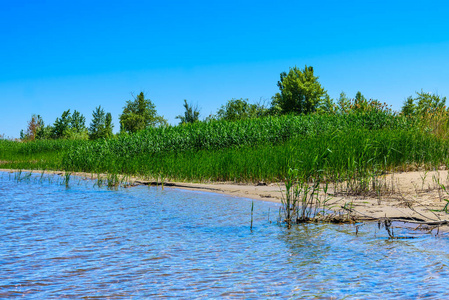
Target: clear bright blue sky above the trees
56	55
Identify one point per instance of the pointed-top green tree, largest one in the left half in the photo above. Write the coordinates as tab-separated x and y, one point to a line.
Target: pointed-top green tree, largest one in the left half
139	114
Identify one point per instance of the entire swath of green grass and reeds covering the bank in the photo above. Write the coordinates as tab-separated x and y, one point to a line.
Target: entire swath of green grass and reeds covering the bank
333	147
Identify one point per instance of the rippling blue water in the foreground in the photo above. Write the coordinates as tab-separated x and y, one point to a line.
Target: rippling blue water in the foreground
140	242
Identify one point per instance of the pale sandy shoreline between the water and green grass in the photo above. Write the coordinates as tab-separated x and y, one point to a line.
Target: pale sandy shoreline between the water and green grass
416	197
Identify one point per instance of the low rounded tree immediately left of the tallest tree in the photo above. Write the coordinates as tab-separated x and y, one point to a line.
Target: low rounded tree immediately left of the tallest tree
239	109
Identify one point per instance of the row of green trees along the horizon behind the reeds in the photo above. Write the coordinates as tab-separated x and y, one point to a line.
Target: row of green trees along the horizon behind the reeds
300	92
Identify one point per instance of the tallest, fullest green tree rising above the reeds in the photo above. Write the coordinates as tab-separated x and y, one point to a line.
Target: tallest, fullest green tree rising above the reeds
300	92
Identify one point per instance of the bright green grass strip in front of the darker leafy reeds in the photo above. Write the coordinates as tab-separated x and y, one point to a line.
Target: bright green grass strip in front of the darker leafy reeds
335	156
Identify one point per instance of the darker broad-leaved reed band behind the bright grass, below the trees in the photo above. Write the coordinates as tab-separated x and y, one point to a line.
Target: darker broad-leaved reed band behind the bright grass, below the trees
216	135
